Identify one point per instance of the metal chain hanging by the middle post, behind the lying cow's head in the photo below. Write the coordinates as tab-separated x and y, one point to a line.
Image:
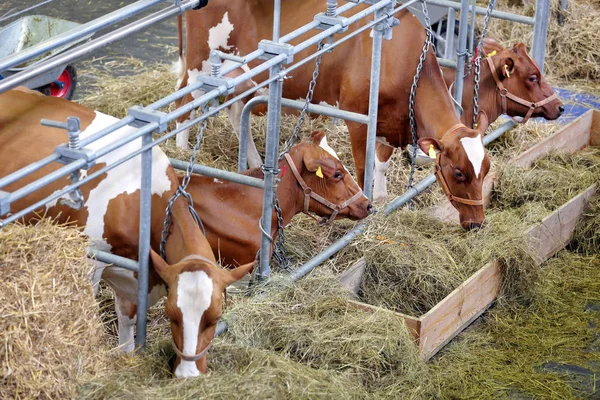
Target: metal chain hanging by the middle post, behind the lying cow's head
279	254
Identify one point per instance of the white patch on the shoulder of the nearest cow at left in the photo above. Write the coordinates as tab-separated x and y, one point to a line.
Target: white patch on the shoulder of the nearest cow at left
124	179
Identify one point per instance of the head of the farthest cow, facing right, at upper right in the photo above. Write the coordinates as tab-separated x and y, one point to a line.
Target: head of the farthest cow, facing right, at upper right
520	75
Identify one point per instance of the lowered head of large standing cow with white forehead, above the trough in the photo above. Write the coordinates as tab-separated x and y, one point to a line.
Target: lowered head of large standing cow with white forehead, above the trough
461	166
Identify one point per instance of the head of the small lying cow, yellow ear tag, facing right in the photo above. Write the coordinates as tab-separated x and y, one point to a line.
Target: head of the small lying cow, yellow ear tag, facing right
320	170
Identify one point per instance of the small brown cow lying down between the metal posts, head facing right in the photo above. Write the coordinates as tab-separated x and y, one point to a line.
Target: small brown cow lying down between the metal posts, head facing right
311	164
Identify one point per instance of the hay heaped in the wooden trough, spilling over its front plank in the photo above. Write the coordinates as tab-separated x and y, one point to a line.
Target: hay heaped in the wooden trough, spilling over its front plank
414	260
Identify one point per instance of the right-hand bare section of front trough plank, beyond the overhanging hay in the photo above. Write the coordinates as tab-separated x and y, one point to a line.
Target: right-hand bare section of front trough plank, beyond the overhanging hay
554	232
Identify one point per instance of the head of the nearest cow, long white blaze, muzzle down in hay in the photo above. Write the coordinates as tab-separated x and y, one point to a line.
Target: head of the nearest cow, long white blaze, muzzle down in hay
194	306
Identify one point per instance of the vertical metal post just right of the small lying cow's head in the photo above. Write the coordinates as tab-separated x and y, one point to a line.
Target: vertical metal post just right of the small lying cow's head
373	106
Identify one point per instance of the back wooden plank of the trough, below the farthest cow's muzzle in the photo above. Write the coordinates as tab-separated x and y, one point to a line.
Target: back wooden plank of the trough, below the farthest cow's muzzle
569	139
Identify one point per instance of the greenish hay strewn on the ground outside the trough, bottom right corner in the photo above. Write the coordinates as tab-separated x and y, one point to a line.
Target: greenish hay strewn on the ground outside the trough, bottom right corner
504	355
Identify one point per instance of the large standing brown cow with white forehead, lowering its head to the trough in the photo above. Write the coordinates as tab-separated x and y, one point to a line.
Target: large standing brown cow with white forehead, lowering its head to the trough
238	25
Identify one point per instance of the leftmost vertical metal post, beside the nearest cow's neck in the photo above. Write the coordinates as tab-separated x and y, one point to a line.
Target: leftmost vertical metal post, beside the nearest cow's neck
144	244
